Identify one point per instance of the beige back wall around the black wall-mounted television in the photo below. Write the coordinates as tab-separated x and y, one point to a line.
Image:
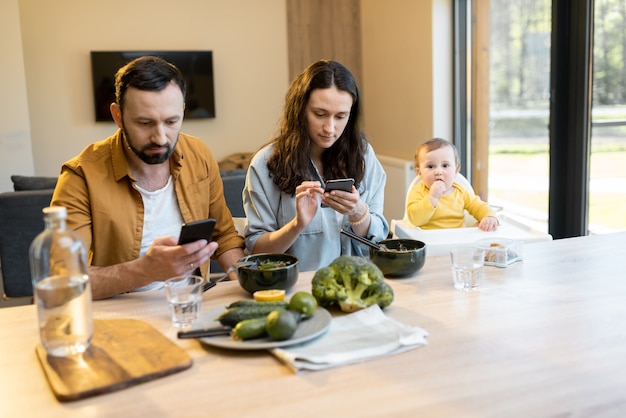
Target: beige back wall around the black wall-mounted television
249	43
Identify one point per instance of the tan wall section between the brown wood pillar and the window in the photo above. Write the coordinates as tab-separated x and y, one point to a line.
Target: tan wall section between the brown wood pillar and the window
398	74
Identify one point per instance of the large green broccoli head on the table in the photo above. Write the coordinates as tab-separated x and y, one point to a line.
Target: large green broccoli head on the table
352	283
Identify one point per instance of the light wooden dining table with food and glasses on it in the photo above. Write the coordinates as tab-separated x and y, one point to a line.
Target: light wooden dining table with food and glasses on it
543	337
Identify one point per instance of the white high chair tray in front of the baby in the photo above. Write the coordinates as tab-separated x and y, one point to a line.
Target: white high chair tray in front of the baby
440	241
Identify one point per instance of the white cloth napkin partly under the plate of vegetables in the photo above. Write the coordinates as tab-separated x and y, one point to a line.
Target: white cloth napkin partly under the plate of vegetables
353	338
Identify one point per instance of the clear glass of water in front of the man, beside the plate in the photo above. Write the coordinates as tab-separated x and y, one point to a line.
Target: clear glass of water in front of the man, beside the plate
184	294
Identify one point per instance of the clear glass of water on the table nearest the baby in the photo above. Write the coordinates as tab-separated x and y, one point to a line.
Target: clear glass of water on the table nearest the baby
467	267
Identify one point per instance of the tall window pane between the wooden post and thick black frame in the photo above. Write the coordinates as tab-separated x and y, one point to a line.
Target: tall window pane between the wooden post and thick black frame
519	109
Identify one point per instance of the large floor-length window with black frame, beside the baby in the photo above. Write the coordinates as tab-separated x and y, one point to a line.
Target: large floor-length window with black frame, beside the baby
513	141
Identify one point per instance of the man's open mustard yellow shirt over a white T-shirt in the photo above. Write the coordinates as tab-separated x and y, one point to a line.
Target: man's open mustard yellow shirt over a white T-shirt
106	210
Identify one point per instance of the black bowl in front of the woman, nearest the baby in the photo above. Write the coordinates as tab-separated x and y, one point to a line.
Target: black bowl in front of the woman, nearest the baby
399	263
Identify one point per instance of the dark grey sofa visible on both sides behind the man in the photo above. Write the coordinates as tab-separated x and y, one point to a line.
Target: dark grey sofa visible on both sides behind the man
21	220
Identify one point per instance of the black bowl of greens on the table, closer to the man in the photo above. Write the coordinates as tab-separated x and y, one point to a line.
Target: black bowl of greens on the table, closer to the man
253	278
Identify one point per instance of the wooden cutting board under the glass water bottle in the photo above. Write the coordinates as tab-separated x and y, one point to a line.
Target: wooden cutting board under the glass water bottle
123	352
